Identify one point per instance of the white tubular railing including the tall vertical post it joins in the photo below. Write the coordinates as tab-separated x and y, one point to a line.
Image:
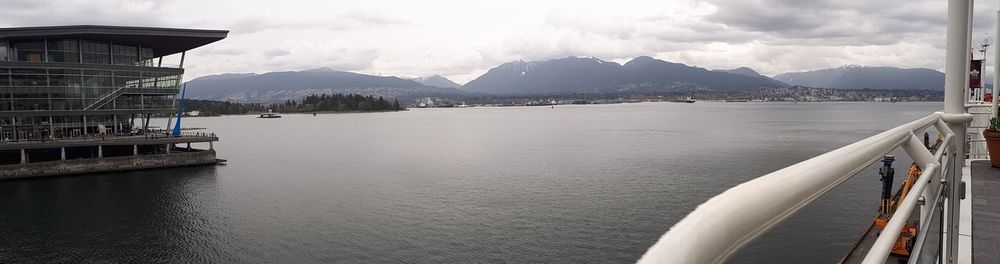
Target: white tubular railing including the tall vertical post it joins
723	225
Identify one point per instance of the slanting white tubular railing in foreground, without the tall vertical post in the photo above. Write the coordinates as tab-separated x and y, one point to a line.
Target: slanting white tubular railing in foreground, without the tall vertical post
724	224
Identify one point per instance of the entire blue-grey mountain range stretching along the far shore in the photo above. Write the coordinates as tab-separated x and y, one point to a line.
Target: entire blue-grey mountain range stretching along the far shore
566	76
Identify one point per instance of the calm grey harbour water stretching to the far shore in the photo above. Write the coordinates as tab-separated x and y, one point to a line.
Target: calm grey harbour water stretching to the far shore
594	184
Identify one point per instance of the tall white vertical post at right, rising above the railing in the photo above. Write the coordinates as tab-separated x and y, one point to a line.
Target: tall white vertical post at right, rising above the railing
956	86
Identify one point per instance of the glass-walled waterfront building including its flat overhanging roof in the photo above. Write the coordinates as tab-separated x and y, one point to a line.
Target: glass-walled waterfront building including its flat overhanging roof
73	81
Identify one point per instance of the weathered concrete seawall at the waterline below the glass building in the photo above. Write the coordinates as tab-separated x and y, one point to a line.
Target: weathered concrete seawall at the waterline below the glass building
107	164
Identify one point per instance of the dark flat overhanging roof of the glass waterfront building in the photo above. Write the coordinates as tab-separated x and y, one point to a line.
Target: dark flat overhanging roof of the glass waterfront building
163	41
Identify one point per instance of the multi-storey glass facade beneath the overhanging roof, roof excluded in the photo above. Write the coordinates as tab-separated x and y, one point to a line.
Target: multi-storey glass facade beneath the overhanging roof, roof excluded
54	88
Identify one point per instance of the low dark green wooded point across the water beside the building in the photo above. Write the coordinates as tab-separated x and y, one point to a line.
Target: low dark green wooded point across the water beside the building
311	103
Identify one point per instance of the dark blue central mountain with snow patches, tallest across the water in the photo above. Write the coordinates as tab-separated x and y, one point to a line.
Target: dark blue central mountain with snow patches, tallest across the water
643	75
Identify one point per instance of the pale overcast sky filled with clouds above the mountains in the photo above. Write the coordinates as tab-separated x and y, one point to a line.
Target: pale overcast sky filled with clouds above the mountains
461	39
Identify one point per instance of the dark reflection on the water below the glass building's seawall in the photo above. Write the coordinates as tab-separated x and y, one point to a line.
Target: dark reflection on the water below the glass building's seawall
169	215
